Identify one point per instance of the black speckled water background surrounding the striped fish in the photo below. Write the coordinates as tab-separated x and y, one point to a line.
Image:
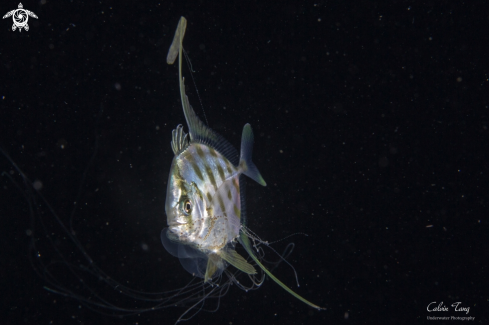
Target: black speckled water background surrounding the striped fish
370	126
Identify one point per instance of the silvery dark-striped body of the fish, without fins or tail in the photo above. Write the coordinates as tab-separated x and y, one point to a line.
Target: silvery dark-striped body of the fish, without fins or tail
203	203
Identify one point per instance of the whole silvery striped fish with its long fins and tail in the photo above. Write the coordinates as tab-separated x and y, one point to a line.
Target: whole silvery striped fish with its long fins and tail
205	203
